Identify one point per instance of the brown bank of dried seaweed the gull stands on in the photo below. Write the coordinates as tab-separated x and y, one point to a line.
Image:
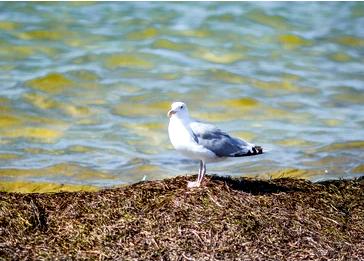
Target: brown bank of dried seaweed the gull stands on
243	219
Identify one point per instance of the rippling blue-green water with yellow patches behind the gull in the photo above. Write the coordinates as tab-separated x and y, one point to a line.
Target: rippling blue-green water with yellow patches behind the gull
85	88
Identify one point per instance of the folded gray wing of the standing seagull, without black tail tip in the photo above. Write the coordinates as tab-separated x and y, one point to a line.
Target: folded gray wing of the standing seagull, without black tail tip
219	142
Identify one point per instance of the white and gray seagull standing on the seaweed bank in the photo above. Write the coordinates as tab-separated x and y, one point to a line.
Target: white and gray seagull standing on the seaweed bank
202	141
